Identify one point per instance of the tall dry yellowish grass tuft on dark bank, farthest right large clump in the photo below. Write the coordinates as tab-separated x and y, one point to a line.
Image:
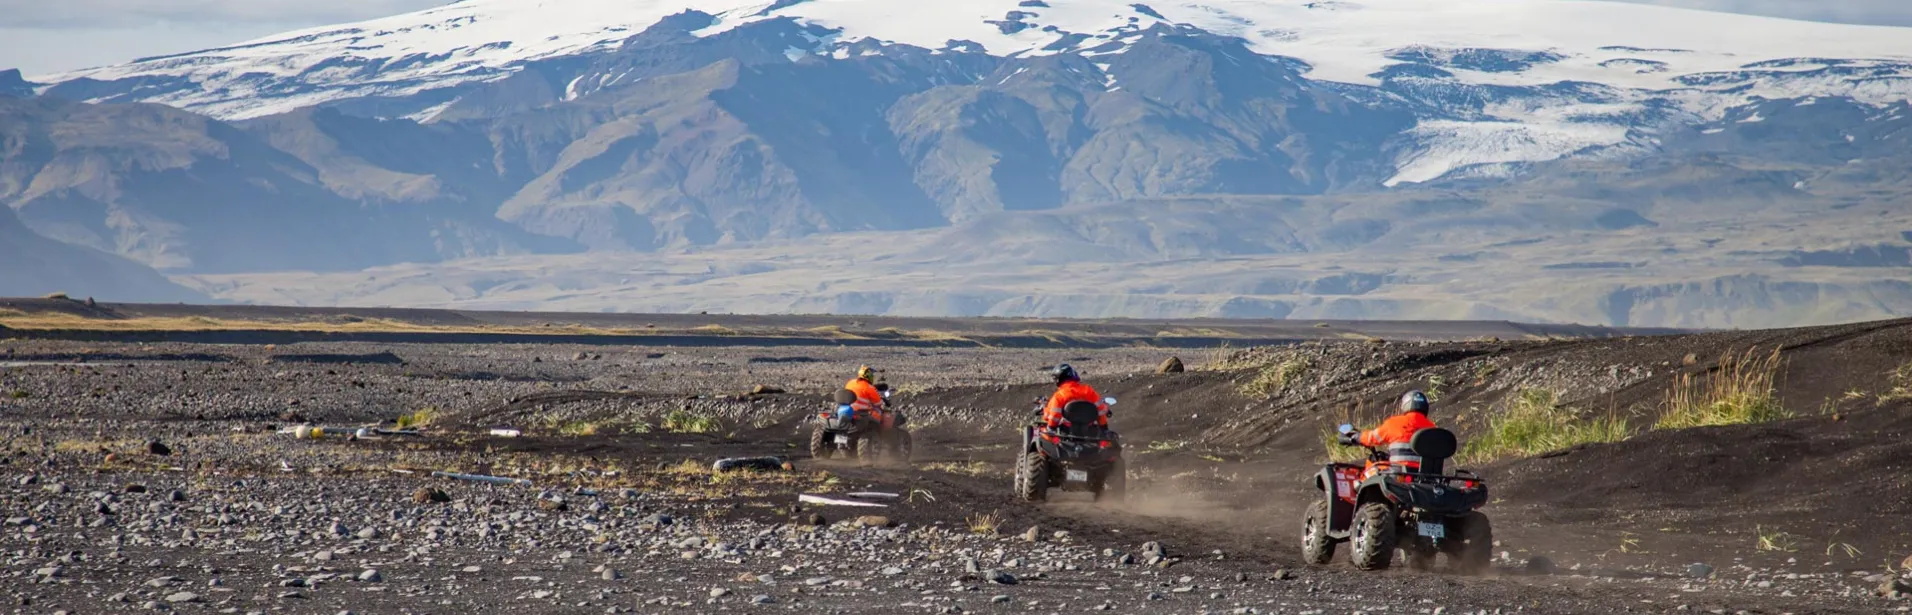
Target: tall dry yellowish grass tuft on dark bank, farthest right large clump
1739	392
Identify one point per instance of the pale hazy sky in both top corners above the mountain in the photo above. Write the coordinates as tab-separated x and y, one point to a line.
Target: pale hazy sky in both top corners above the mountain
58	35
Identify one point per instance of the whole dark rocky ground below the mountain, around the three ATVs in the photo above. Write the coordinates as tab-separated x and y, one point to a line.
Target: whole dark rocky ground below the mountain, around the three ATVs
160	477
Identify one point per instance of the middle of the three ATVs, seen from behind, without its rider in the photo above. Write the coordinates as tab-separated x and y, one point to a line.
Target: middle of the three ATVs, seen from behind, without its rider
1077	457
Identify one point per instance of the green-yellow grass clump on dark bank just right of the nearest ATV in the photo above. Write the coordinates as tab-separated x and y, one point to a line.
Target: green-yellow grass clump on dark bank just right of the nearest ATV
1536	423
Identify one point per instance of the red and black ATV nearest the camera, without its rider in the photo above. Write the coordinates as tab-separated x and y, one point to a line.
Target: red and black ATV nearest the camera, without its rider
1422	513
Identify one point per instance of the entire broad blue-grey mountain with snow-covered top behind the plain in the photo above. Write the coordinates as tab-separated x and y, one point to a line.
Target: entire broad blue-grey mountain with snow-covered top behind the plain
1588	161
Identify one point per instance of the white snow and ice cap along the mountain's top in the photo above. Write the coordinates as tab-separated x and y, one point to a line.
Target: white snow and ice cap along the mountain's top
1492	83
